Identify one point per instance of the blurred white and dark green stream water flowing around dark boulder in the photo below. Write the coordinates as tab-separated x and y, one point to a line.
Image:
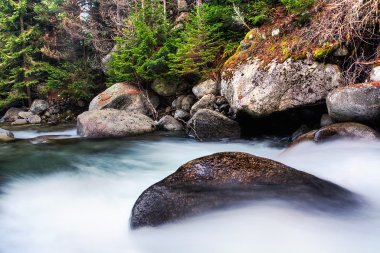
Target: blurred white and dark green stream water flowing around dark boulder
76	197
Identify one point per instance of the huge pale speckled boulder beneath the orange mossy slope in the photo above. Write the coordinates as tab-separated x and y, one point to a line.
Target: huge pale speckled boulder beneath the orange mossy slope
260	90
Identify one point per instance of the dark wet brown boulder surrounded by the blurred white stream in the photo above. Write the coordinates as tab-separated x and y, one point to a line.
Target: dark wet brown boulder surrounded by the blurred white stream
225	179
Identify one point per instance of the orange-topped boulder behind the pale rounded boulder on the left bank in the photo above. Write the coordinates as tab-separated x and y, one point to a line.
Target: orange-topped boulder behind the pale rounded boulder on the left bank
125	96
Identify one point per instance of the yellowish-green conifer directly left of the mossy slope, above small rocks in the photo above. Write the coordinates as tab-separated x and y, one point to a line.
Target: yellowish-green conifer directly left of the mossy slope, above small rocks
200	43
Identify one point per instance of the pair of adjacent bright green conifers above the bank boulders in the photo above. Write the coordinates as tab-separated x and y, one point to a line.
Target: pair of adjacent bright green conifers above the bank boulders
151	49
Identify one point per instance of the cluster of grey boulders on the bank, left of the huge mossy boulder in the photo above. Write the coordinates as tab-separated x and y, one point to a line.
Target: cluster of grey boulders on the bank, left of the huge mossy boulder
125	109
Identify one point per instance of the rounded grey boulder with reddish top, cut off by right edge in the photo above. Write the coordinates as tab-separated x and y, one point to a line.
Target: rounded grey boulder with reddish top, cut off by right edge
358	102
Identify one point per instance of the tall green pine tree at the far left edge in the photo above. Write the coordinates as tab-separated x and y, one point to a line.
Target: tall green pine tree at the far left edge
20	68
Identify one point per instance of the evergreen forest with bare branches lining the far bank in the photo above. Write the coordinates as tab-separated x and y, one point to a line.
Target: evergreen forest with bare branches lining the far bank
76	48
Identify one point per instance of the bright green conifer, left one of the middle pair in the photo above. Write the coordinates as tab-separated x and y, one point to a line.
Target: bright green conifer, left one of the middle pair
140	54
